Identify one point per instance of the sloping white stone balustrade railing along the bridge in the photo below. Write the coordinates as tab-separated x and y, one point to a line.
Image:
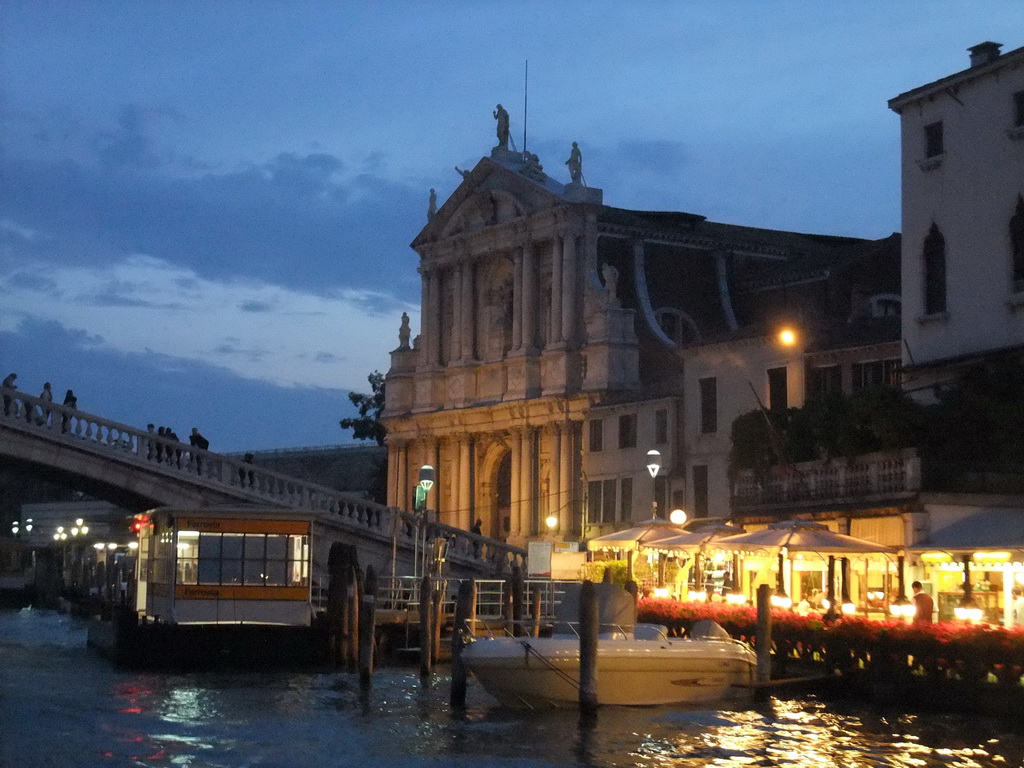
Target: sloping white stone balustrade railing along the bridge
243	481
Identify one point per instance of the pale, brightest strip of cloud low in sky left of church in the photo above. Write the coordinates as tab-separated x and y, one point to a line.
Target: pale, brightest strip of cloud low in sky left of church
253	329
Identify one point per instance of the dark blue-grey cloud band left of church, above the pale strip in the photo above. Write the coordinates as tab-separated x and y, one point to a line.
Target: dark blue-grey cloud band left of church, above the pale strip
307	221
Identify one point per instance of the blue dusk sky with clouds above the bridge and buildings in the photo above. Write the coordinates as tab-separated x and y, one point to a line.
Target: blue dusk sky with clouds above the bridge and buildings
206	207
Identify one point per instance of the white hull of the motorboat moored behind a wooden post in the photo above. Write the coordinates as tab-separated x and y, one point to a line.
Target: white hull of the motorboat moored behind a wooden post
539	672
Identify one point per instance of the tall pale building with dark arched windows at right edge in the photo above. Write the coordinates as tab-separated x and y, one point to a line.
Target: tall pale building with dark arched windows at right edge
963	178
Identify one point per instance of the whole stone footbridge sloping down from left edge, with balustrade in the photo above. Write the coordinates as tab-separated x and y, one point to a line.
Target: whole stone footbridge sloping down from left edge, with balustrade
140	471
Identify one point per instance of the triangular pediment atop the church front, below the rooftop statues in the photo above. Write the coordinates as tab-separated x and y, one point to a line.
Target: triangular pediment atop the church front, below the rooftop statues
491	195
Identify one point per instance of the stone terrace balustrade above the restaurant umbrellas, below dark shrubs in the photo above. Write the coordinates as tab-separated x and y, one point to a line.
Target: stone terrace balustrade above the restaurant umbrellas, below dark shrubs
882	476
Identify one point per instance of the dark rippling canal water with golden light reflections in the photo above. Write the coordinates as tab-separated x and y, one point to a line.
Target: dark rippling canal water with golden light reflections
61	705
